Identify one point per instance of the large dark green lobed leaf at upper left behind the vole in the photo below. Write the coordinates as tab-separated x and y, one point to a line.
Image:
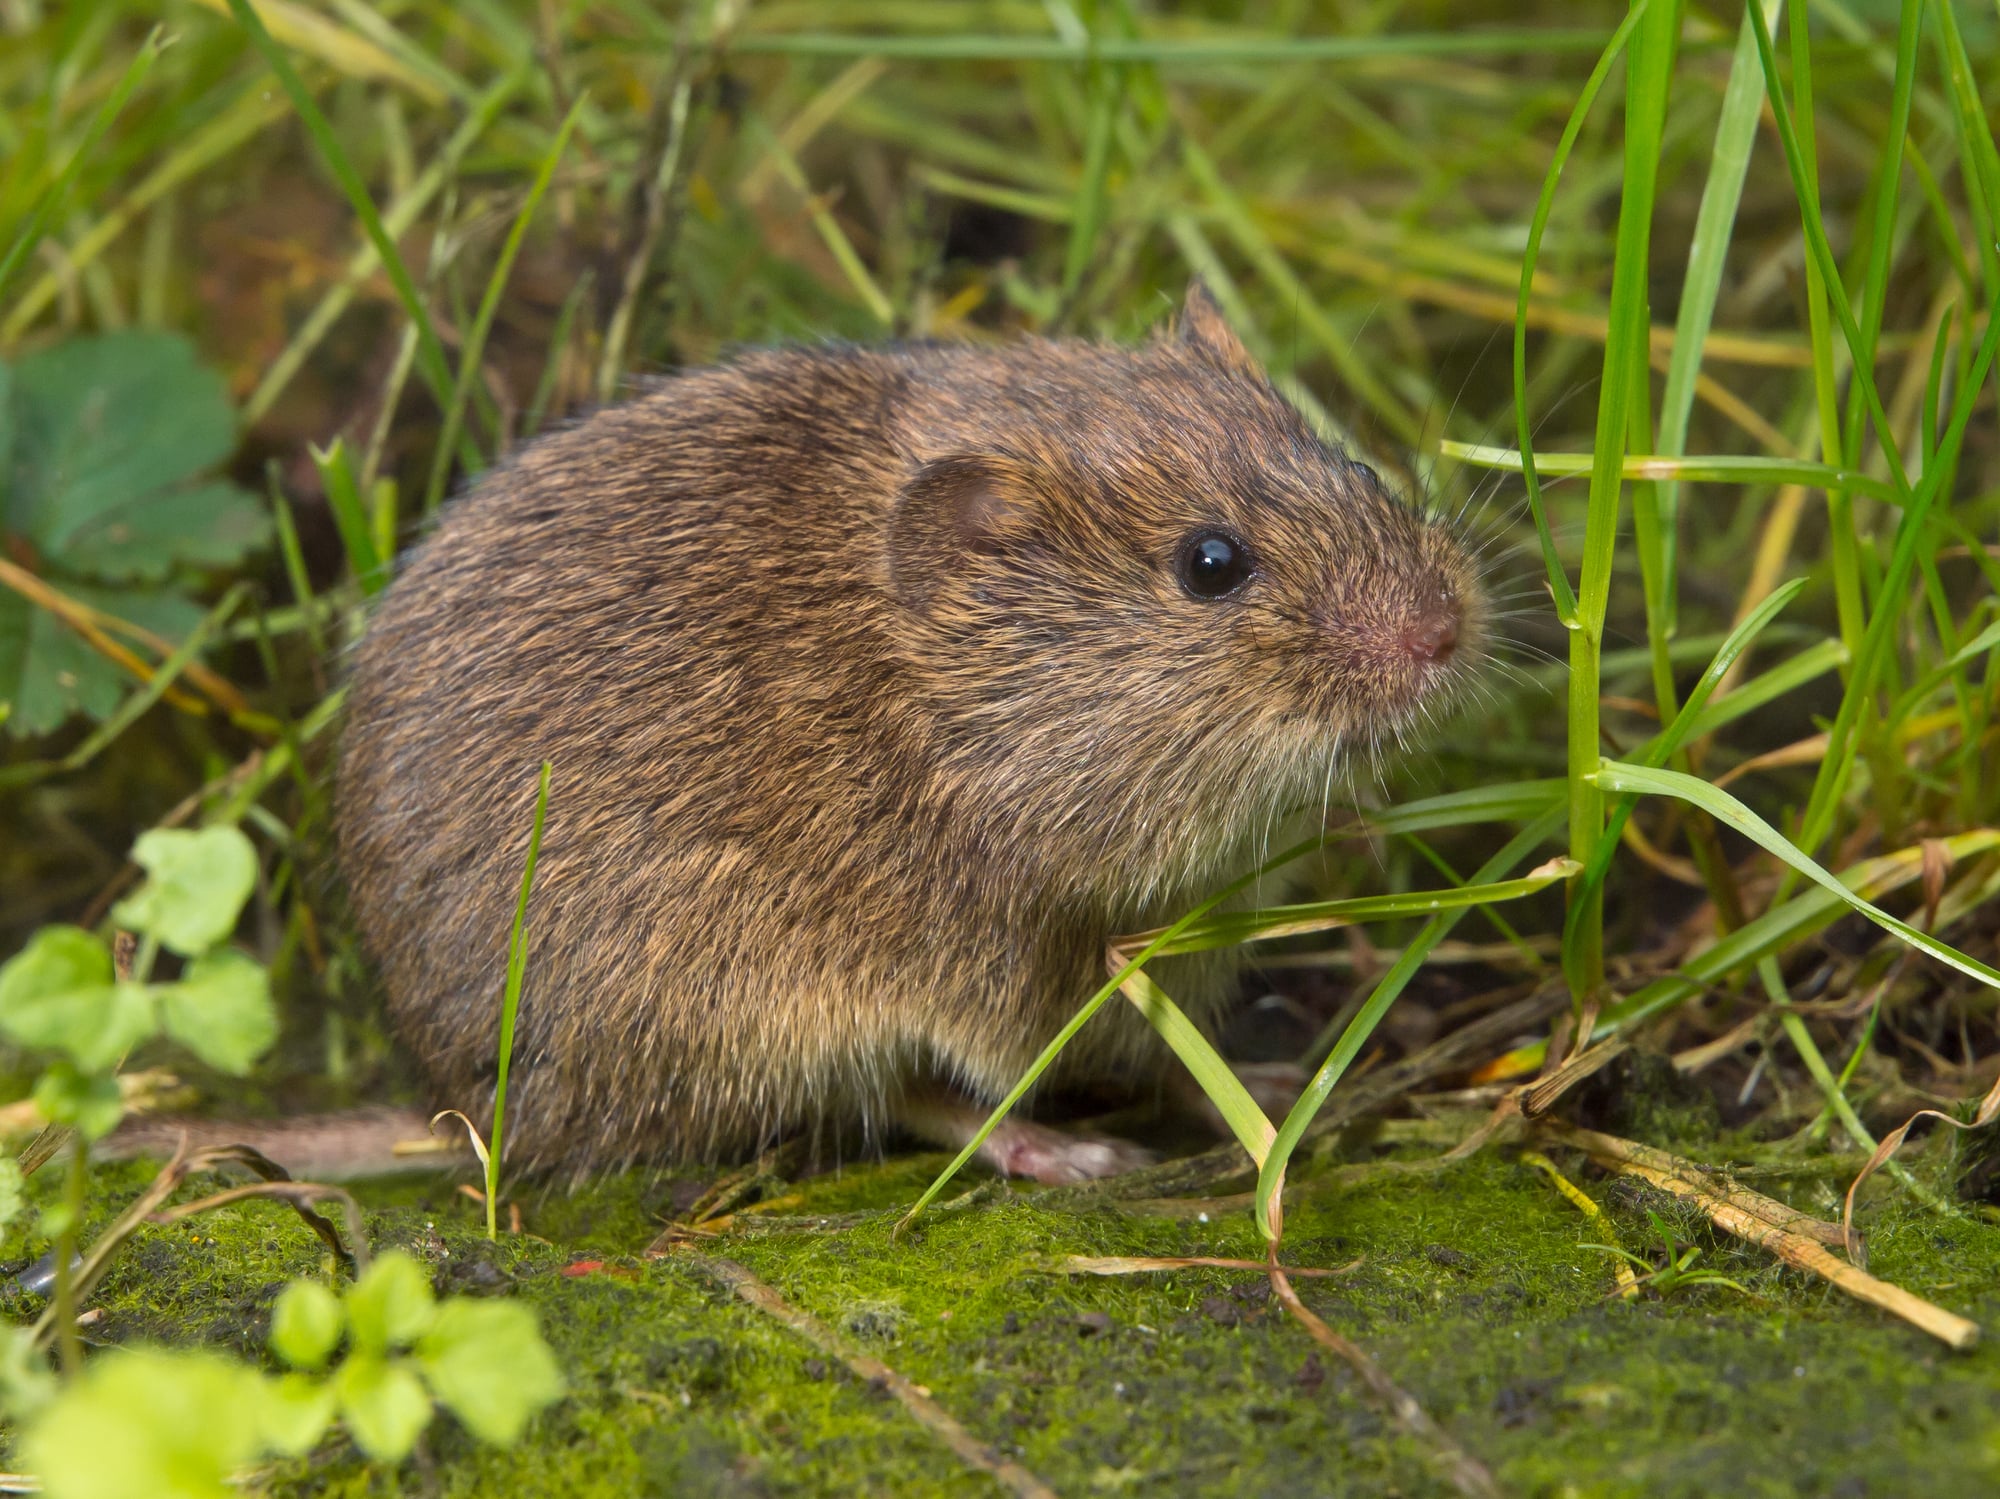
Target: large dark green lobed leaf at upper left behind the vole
109	427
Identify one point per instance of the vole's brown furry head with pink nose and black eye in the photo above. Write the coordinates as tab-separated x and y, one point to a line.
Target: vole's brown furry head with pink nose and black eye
1147	603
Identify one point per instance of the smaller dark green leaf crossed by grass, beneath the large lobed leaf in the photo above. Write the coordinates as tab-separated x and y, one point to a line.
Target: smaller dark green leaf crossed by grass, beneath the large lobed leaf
51	673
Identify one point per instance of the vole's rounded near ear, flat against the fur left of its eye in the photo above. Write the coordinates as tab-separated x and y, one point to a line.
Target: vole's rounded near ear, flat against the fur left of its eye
953	513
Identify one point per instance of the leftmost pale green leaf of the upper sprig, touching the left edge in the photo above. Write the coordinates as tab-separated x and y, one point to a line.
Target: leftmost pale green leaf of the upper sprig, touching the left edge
59	996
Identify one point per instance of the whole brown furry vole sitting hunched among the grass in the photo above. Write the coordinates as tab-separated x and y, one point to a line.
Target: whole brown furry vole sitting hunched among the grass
883	687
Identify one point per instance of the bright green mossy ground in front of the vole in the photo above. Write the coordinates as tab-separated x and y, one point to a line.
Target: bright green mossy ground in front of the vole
1475	1290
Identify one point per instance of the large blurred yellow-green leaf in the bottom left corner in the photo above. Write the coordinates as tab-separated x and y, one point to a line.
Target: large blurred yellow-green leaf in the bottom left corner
169	1426
